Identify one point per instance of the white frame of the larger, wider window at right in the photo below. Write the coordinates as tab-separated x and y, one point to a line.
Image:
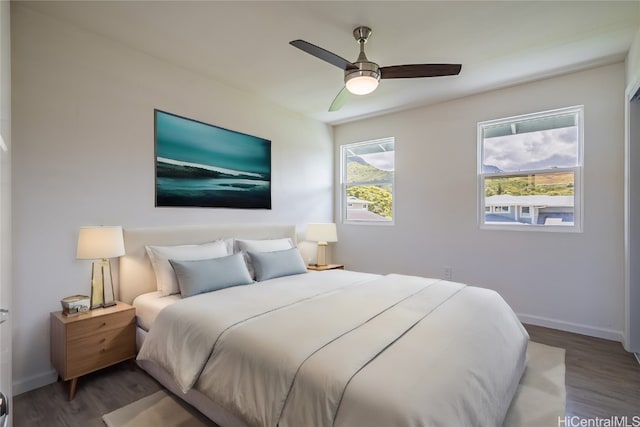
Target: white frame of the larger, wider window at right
578	170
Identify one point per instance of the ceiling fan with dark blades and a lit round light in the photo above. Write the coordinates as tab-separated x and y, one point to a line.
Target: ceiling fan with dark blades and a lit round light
362	76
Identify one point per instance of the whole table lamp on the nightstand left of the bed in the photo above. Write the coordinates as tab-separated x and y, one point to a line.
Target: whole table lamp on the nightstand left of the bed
100	243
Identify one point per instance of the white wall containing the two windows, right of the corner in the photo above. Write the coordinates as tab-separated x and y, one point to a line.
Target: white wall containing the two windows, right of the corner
565	280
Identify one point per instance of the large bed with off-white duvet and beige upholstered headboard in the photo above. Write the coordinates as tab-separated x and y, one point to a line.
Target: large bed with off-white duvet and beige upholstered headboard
335	348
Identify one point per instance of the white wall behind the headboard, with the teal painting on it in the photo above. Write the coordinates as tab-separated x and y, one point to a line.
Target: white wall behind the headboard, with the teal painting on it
84	155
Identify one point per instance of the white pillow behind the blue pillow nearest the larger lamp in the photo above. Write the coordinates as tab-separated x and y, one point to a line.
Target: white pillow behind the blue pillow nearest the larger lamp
160	256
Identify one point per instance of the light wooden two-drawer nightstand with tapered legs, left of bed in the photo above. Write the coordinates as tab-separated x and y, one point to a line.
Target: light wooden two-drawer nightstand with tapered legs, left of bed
91	341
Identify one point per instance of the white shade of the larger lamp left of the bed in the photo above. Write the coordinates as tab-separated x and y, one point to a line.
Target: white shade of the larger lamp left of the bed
100	242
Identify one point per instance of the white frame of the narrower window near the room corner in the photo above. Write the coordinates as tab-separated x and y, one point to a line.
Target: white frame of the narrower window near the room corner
344	185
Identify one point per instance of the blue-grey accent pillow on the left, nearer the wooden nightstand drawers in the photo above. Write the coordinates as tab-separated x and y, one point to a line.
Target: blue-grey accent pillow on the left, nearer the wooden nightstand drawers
199	276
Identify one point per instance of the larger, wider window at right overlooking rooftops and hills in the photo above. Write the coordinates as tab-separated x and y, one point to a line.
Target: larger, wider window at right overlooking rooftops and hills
532	163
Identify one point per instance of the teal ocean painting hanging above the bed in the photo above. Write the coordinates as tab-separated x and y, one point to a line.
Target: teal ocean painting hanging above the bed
202	165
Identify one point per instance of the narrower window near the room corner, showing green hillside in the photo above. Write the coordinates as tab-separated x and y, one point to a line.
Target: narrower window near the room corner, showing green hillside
367	181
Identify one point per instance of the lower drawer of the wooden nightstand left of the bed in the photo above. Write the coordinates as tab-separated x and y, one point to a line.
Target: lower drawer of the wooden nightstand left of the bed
97	351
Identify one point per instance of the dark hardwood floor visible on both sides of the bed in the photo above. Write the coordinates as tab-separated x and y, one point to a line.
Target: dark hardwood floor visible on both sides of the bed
602	380
